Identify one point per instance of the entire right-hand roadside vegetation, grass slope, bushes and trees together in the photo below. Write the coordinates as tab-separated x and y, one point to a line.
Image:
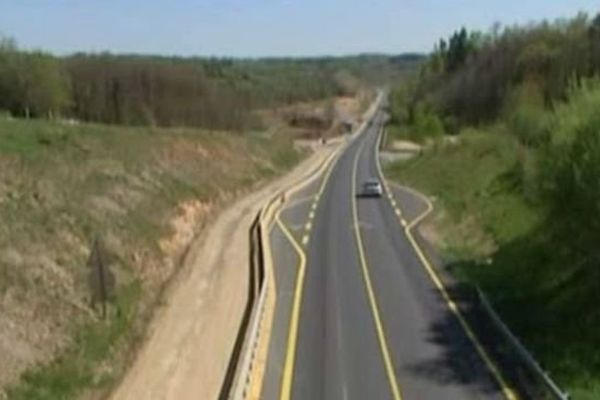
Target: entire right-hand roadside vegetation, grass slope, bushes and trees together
511	131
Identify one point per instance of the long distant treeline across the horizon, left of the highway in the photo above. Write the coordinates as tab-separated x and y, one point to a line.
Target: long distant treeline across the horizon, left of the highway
168	91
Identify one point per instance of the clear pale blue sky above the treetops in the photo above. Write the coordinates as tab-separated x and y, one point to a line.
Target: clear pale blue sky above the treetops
258	28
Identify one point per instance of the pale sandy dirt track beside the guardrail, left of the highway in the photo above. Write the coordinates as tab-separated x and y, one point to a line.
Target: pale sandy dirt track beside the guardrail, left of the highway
190	338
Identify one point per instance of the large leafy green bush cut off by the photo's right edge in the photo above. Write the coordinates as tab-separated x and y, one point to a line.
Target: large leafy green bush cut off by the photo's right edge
571	164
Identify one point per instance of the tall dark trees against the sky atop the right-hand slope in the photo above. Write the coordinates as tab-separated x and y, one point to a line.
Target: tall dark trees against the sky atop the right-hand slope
473	77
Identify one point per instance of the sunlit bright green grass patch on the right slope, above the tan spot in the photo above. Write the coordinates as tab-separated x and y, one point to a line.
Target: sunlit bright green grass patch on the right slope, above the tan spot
466	177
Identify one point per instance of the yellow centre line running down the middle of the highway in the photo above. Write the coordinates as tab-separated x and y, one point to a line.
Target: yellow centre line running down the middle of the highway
372	300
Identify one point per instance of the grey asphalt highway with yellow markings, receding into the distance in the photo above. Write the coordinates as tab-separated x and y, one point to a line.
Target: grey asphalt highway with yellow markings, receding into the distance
358	315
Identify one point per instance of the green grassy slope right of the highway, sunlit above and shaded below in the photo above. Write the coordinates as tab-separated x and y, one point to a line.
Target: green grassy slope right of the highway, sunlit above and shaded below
494	236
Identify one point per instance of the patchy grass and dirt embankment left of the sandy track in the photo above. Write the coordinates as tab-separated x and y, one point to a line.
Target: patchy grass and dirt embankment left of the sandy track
146	193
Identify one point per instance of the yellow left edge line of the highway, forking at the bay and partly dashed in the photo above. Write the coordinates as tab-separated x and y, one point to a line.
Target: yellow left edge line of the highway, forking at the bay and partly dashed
290	358
